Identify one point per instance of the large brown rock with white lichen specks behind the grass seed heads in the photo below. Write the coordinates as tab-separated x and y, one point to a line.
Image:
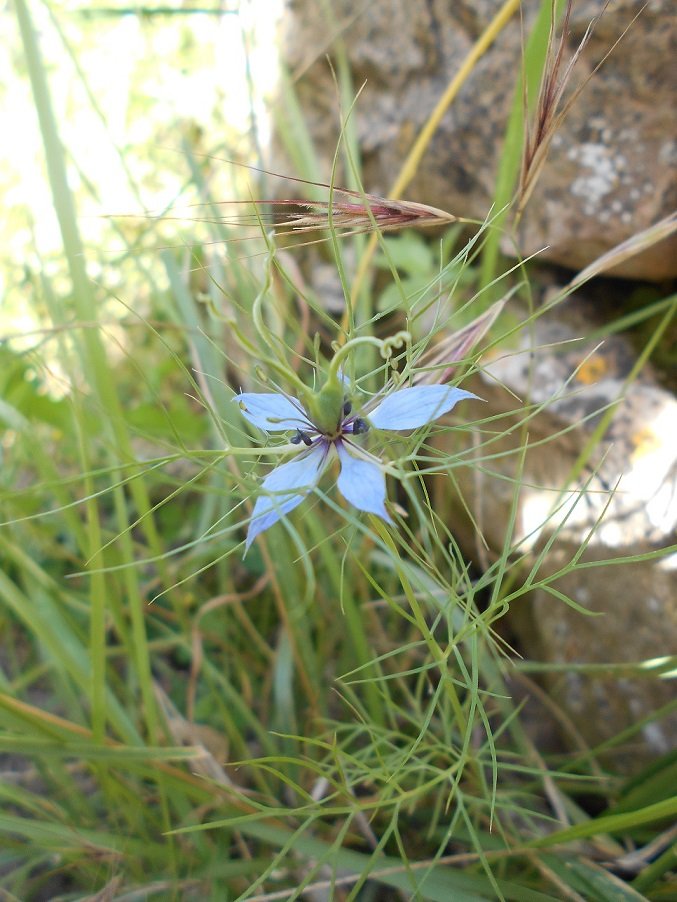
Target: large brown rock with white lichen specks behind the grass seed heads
612	167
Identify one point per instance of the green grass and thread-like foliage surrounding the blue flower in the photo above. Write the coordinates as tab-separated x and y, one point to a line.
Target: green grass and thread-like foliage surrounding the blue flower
332	711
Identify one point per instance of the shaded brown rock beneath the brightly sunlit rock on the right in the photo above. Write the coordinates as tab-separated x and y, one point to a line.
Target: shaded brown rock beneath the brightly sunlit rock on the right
637	626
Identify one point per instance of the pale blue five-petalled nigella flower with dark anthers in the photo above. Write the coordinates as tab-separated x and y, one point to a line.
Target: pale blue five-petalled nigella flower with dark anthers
320	437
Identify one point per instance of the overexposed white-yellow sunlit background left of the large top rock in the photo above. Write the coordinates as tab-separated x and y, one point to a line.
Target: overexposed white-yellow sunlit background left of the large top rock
140	95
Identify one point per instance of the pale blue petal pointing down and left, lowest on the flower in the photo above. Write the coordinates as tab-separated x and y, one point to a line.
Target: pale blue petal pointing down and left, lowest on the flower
286	487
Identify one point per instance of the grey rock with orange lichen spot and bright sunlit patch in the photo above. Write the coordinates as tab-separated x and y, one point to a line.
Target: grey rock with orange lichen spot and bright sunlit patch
627	492
